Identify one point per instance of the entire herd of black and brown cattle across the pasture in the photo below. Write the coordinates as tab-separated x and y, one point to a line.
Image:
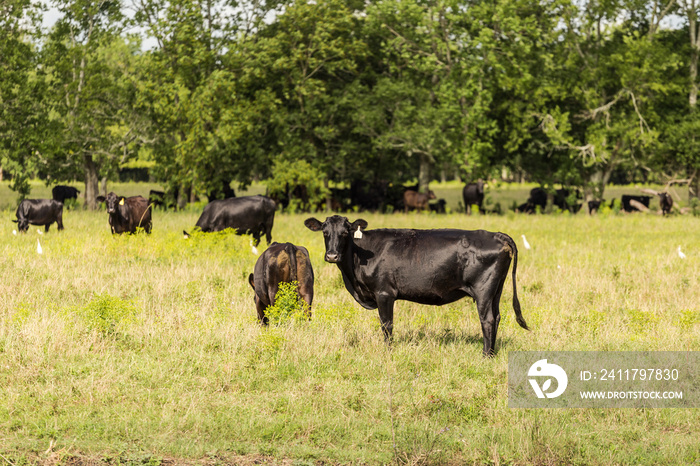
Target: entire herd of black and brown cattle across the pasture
378	266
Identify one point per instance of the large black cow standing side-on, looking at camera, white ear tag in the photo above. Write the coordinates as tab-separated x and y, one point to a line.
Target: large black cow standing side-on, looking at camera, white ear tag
423	266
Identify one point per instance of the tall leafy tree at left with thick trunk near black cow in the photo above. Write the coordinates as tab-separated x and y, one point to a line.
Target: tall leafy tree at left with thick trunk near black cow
89	65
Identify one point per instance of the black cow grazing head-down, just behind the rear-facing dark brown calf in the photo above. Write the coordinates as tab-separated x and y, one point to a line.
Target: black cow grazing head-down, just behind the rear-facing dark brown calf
248	215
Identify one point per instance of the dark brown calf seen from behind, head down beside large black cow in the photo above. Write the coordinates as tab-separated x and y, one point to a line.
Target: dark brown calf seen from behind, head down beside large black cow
281	263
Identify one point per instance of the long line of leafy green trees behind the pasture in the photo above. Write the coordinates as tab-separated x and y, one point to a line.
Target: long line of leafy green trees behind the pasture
326	92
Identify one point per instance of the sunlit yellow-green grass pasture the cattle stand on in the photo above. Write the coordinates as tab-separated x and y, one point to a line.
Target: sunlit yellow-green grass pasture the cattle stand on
146	350
